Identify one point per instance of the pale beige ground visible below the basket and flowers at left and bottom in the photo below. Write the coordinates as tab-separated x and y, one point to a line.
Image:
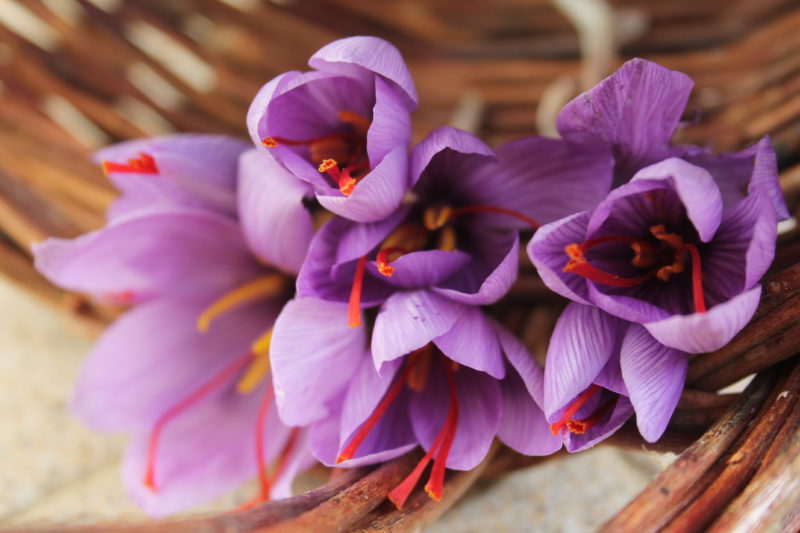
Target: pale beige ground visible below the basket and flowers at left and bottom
53	469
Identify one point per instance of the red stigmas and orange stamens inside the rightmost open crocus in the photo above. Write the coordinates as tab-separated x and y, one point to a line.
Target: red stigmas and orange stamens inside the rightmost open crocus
661	259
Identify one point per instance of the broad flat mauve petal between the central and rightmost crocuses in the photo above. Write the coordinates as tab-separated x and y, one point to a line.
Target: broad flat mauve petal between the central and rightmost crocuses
545	179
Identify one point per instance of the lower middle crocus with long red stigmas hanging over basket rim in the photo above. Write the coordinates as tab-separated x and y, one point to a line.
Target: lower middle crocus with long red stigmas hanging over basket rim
429	398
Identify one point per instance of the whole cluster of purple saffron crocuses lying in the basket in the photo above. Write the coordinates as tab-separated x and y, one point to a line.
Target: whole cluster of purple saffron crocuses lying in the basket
323	295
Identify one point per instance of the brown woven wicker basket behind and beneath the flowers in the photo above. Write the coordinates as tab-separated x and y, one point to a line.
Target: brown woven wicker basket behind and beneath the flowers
78	74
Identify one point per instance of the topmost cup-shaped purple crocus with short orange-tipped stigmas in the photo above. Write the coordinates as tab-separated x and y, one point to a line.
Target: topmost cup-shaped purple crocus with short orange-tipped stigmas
344	127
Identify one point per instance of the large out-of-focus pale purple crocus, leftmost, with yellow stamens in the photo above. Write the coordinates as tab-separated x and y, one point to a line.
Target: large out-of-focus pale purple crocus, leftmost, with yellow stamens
186	371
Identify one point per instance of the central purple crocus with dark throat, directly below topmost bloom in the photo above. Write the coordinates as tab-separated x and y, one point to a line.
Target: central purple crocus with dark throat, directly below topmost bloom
457	239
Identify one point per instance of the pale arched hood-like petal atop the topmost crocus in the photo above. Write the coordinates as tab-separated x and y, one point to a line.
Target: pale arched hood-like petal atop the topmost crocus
346	55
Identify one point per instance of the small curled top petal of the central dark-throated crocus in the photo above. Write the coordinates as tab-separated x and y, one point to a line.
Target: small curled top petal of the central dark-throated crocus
445	139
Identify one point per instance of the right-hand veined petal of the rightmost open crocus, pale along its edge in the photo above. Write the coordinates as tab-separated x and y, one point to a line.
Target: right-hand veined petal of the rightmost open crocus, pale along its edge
742	249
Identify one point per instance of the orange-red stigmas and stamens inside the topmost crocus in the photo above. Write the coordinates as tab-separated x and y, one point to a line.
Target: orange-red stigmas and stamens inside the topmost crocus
341	155
